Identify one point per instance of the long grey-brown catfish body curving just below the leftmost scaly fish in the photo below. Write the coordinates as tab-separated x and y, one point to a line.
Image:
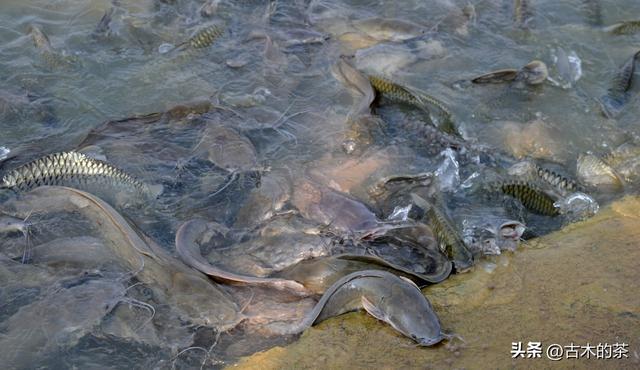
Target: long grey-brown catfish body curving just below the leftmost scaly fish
195	298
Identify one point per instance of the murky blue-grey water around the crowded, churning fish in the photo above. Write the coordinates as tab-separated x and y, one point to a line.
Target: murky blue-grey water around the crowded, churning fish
259	134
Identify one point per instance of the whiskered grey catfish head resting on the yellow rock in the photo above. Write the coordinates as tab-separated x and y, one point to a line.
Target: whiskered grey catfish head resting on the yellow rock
408	311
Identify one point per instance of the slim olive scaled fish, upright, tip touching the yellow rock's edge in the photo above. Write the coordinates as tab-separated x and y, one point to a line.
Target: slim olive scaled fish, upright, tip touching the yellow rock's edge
449	239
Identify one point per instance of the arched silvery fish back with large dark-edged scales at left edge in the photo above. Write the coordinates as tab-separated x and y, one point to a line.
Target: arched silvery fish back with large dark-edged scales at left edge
55	169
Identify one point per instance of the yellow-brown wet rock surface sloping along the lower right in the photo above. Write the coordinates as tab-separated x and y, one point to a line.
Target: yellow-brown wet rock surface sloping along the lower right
579	285
